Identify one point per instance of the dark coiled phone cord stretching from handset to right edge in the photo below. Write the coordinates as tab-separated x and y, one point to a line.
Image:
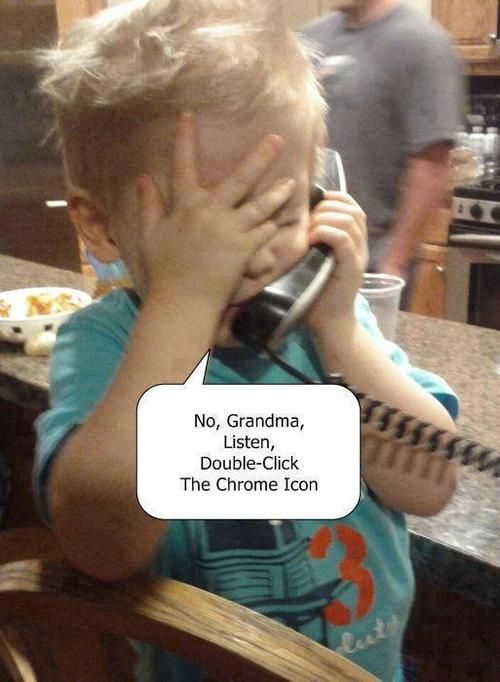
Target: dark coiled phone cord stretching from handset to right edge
389	423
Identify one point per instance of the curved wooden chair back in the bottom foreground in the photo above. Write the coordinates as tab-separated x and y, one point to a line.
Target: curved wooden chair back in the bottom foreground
52	616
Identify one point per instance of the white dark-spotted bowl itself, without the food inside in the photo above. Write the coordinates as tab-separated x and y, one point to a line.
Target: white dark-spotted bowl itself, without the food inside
17	328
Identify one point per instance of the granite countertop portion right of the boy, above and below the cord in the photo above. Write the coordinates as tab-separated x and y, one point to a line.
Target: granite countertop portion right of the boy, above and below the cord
460	547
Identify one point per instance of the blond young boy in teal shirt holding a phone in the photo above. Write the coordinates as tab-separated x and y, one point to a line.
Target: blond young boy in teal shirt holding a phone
190	132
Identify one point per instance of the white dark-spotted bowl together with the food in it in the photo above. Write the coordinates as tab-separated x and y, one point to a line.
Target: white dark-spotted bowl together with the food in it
27	312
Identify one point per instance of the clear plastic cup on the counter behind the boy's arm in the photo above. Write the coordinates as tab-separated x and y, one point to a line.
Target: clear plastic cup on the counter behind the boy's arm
383	293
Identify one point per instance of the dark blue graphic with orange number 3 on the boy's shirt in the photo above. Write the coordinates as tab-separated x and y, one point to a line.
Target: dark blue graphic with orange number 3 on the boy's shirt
271	568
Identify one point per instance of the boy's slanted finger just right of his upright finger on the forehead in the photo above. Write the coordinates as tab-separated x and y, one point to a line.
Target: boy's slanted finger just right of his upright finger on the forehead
240	183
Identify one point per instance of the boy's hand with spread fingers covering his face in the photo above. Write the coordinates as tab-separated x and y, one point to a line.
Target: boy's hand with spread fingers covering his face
202	243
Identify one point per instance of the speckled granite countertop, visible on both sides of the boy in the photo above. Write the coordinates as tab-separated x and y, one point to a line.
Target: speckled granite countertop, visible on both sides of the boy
460	547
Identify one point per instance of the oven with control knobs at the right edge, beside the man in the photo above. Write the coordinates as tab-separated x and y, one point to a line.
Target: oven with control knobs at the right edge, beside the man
473	272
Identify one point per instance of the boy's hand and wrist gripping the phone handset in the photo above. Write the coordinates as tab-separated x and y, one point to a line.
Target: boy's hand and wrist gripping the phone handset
339	222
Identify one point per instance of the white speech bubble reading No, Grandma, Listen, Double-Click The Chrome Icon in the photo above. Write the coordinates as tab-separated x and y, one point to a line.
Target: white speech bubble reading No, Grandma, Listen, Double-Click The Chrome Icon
247	451
